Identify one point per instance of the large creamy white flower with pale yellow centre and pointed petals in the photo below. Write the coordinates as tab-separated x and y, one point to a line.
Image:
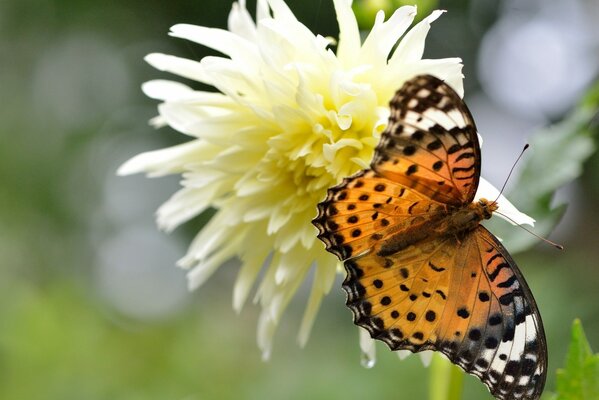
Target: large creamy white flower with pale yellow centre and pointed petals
290	118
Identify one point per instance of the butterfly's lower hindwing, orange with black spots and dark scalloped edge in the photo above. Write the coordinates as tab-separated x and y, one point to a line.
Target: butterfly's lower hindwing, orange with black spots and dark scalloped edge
399	298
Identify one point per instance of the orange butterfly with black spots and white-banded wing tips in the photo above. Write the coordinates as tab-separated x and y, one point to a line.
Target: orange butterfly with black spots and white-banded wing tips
422	272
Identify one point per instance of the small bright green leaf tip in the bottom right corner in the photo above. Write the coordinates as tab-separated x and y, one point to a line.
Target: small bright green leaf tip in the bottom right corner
580	379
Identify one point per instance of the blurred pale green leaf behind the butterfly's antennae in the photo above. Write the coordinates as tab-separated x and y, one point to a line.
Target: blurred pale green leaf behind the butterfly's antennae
555	158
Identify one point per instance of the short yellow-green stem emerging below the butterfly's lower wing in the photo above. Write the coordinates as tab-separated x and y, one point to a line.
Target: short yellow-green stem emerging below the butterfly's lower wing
446	380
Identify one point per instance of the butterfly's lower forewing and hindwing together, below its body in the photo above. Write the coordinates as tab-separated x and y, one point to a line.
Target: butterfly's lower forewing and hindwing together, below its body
463	296
